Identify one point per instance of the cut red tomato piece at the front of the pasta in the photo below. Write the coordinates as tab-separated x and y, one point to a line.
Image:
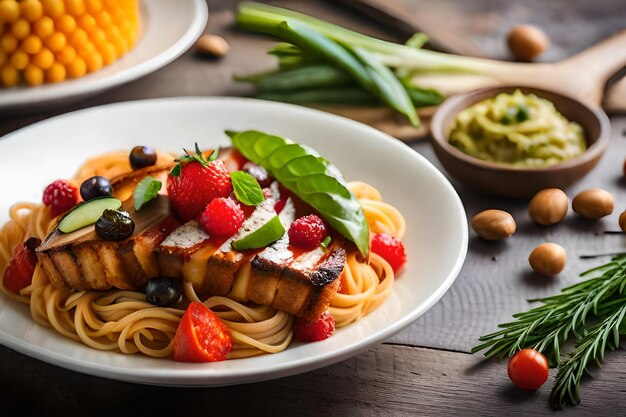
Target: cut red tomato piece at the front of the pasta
201	336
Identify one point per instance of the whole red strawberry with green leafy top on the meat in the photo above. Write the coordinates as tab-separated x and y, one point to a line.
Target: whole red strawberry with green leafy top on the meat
195	182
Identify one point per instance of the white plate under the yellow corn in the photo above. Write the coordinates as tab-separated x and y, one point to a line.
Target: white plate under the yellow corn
168	28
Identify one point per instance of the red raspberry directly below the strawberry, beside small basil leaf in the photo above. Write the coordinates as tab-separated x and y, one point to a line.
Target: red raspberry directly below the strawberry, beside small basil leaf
222	217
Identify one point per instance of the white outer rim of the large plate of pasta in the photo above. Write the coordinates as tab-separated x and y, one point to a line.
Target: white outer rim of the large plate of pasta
185	377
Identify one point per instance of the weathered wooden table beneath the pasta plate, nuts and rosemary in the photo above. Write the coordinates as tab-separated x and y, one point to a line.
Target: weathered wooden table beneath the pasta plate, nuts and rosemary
424	370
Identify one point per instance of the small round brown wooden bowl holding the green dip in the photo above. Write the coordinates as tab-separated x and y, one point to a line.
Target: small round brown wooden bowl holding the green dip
505	180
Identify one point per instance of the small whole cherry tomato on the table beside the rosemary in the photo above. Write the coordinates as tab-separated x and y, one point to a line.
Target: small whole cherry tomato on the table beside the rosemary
528	369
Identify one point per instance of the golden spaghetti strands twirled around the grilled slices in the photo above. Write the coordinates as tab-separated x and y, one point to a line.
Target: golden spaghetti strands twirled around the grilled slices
121	320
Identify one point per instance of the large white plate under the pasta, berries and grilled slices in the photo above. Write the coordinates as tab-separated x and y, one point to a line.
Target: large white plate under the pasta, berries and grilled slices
436	238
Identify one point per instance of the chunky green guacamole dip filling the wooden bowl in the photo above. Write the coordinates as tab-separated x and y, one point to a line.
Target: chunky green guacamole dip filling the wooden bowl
517	129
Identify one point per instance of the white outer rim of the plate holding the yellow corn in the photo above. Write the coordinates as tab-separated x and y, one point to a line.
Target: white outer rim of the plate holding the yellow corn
68	93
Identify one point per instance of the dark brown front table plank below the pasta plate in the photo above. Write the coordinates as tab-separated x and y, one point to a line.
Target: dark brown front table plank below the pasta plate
385	381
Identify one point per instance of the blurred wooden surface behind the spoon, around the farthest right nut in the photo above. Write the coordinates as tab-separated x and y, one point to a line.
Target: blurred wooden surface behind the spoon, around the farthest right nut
480	27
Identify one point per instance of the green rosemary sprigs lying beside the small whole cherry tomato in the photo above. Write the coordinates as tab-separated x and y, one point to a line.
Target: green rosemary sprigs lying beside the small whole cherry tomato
547	327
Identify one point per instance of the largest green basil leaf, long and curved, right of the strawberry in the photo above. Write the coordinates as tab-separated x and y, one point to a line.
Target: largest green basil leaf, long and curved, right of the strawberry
310	177
